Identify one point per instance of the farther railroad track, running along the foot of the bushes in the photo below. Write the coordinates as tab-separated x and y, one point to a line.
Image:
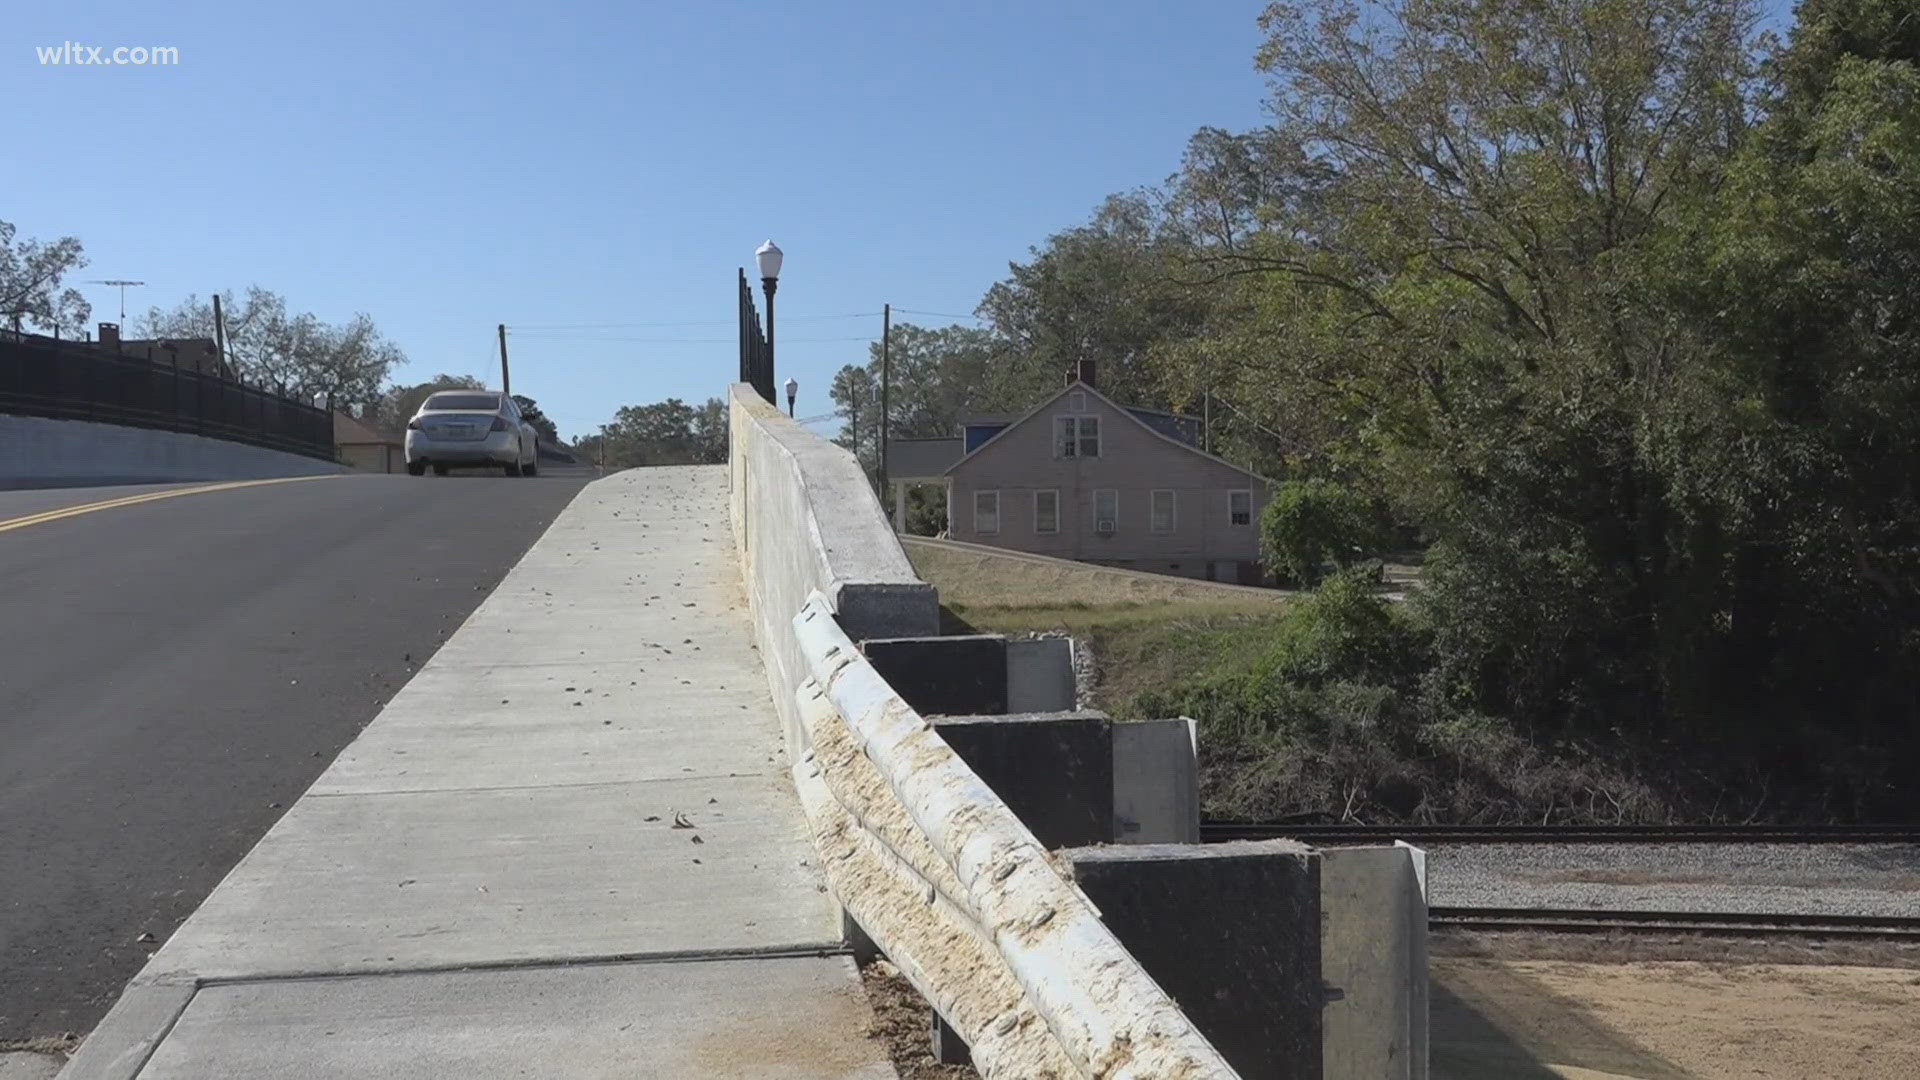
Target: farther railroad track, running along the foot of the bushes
1420	835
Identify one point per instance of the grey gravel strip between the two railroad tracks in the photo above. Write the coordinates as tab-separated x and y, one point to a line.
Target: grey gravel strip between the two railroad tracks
1764	879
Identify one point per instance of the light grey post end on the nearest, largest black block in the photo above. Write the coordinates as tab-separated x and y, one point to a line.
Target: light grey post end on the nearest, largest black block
1374	952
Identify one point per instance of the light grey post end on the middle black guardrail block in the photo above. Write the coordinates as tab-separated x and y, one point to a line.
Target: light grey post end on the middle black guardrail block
1157	783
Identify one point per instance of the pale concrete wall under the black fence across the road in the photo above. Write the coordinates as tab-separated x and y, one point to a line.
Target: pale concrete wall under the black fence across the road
43	453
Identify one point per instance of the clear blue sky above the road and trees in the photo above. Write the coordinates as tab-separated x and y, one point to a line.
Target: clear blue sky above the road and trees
454	166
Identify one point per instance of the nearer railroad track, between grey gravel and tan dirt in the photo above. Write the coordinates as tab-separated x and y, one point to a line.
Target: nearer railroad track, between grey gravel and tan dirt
1700	923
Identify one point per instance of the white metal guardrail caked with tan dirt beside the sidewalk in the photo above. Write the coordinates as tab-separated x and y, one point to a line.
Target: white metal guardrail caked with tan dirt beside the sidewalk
963	896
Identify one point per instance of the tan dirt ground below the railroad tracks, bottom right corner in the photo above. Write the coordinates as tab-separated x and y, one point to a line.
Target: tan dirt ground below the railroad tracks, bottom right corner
1525	1019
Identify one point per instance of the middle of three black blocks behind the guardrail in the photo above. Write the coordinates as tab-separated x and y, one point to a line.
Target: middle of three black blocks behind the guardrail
1053	770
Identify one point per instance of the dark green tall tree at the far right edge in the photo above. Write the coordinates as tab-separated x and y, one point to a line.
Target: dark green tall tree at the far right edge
1800	472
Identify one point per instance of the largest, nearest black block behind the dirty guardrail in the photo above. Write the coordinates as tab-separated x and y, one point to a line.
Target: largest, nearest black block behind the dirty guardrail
1232	931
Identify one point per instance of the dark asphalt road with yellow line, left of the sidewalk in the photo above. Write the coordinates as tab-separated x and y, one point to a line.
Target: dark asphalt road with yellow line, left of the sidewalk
174	674
